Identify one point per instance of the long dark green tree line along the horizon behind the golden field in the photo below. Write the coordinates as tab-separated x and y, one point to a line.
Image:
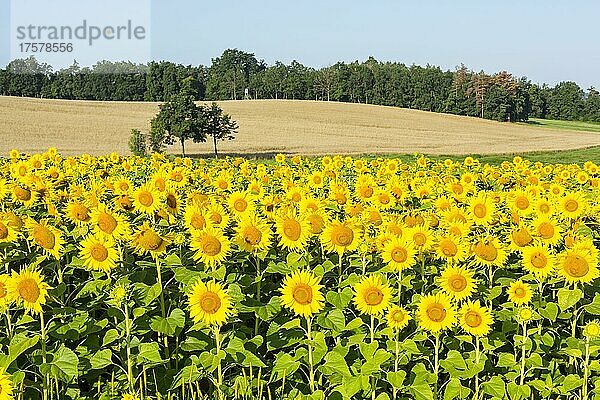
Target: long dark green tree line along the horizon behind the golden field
238	75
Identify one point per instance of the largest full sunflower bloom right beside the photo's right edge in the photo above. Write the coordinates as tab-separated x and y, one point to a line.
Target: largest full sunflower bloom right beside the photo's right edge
577	265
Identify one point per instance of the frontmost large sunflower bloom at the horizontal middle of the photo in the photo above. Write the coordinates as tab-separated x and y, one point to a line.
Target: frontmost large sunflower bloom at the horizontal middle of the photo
301	293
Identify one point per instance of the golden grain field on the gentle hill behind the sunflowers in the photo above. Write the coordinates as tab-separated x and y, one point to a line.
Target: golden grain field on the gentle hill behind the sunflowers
271	126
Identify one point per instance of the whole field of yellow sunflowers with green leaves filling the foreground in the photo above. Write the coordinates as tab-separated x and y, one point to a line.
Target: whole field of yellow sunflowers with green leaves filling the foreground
298	278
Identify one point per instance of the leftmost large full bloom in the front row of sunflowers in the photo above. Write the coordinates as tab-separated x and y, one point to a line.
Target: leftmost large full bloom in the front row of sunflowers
28	288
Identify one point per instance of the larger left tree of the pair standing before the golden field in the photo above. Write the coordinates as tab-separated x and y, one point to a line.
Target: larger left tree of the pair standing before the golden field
179	120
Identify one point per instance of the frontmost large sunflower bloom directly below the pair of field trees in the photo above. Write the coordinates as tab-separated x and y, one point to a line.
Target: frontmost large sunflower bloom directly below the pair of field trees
209	303
